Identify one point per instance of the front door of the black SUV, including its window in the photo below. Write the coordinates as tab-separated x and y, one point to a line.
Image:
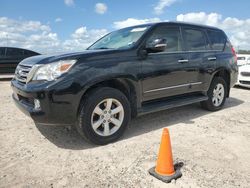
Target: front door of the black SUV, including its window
167	73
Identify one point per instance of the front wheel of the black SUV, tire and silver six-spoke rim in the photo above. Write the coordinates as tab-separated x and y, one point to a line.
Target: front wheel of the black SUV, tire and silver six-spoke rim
97	122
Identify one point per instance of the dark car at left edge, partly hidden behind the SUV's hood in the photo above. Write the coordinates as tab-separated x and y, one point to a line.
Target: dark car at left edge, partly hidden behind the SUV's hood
10	57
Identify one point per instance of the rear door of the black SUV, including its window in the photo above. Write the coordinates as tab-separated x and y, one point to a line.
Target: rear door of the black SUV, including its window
201	57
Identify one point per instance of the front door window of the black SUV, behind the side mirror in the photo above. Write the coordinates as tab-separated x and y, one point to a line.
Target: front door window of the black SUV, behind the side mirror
172	36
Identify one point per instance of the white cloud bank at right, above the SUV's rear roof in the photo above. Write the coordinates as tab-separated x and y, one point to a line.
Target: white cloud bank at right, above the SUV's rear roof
238	30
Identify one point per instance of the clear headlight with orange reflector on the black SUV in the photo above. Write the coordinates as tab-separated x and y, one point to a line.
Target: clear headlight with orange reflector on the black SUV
52	71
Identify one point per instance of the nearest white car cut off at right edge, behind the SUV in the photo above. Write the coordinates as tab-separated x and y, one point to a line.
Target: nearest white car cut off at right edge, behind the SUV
244	76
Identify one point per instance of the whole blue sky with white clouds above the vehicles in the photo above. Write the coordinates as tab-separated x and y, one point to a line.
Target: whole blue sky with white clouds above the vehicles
49	26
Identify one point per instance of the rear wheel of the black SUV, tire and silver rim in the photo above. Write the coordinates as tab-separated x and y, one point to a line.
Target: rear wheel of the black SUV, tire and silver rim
216	99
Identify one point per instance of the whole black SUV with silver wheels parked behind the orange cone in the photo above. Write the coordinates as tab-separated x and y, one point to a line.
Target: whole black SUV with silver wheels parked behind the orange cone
129	72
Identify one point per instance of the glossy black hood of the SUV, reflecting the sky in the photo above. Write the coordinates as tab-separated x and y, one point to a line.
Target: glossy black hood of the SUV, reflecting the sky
45	59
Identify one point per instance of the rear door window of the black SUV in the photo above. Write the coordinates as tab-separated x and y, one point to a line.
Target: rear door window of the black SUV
194	39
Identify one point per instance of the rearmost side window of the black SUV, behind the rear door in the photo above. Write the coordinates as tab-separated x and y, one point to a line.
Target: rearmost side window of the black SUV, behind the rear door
217	39
